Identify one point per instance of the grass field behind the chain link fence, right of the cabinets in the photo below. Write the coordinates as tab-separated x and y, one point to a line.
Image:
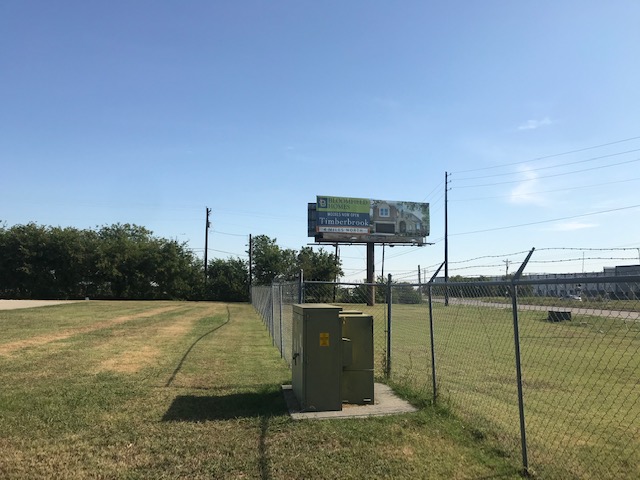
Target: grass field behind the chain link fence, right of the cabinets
581	381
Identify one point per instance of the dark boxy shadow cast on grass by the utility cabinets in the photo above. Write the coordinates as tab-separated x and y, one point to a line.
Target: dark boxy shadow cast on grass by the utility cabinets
190	408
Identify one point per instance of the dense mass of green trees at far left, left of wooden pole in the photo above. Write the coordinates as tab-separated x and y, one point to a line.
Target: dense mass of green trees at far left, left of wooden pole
121	261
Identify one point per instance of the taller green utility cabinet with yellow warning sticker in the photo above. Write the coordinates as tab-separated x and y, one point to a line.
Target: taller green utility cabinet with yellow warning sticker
317	356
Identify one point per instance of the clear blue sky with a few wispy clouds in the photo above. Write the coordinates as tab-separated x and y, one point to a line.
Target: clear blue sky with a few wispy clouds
148	112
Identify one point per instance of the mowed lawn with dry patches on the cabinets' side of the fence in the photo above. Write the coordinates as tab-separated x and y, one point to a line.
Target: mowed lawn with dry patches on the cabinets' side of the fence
192	390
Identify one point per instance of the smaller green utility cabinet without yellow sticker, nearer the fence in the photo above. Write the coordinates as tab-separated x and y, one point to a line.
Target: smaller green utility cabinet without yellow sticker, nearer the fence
357	372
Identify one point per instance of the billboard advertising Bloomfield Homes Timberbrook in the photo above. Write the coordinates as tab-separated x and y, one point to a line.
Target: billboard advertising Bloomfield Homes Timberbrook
364	220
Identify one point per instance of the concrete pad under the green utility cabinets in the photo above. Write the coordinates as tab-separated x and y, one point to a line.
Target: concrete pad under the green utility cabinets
386	403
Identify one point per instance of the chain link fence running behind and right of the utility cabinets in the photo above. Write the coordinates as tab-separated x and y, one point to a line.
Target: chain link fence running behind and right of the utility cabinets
548	371
